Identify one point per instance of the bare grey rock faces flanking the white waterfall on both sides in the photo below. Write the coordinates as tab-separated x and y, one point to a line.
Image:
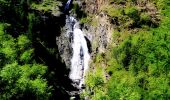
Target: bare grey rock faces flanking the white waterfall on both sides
98	36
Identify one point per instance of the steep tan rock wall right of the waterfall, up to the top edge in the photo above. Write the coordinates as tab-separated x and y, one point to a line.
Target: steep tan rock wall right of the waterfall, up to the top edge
101	30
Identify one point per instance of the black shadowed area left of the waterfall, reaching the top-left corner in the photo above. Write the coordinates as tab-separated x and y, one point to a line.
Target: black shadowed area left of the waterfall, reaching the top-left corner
42	31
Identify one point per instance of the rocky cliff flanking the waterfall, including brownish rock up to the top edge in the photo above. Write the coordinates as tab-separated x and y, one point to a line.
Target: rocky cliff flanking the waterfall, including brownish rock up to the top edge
98	36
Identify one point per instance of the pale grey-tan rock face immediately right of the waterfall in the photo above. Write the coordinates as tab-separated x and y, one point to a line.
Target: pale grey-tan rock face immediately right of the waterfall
99	36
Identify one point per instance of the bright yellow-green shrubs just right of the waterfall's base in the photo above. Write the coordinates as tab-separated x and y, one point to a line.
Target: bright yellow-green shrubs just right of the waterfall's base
95	82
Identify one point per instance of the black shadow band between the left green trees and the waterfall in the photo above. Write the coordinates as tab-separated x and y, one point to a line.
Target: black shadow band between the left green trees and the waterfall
45	39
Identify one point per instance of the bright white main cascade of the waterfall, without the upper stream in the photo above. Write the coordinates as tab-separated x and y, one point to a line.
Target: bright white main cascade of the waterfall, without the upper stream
80	58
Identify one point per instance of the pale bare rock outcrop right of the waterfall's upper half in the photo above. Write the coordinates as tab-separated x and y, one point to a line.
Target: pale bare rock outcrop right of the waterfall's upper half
99	35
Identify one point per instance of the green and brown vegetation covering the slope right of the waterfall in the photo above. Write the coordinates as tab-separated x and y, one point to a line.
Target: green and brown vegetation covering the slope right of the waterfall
138	66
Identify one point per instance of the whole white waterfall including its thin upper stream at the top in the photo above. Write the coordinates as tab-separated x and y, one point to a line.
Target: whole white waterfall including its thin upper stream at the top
80	57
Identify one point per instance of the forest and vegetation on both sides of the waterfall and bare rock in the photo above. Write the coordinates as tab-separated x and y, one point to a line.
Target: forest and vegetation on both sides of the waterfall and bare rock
134	66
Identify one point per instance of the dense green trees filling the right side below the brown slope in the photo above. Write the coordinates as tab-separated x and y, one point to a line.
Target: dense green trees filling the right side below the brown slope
145	61
